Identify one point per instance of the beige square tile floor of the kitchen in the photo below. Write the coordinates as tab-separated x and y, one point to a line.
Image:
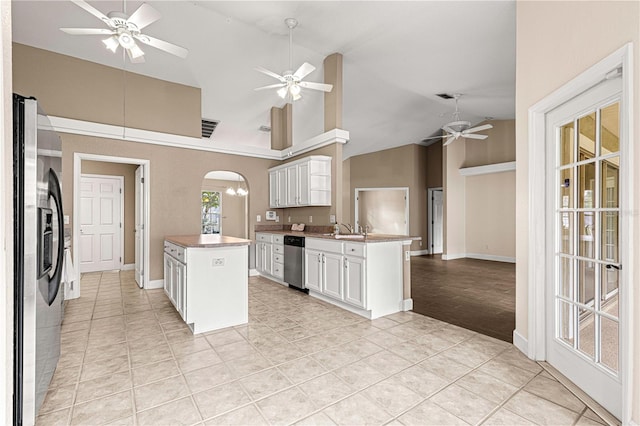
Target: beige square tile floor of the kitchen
127	358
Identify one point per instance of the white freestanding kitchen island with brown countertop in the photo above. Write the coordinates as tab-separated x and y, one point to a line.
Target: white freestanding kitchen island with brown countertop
206	279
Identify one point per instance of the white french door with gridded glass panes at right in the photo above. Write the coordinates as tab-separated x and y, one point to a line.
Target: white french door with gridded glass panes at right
584	205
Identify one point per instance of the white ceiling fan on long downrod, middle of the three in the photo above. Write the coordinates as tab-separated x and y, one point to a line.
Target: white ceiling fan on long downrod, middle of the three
291	83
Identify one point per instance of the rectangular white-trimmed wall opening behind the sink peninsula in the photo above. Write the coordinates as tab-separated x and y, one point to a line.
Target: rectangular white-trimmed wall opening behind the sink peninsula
382	210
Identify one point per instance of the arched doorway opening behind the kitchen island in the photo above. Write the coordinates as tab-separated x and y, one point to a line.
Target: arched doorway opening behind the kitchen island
225	204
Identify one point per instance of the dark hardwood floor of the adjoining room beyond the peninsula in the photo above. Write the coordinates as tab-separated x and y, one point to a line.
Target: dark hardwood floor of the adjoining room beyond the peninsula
475	294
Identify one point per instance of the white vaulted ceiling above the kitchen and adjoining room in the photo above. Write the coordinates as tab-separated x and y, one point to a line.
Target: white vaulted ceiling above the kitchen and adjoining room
397	56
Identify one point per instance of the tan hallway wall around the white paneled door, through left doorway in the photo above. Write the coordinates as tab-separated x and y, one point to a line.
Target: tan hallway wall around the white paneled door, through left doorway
128	171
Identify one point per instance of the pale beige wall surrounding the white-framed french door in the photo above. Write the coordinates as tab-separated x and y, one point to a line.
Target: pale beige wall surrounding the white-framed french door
550	53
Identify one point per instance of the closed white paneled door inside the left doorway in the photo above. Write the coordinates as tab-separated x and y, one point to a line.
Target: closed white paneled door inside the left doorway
100	223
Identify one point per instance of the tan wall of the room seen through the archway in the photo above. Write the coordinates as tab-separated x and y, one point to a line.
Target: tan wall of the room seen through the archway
234	213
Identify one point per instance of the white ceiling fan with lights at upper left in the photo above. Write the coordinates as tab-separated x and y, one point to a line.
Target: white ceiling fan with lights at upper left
125	30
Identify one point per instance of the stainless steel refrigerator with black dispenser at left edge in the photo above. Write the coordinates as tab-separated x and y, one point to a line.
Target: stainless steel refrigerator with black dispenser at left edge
38	256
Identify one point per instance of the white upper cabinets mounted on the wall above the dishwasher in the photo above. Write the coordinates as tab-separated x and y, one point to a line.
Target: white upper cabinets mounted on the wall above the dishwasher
305	182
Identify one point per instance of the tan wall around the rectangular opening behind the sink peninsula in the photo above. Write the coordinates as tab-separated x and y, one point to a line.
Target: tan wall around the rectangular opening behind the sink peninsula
397	167
